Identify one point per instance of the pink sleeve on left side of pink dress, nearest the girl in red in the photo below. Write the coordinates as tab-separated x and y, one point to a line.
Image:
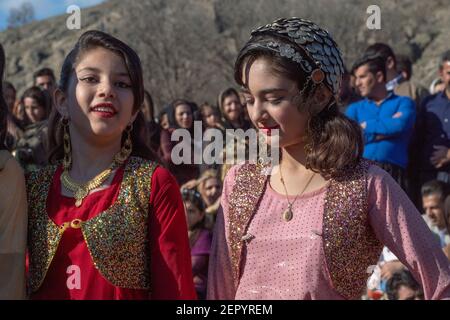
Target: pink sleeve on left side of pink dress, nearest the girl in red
220	276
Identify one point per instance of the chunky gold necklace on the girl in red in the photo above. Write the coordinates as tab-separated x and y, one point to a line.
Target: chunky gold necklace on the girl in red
80	190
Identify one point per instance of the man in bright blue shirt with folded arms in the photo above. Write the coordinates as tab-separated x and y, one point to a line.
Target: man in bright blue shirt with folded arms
387	120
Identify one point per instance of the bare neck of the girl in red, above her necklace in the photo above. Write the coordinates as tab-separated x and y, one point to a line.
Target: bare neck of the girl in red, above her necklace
89	158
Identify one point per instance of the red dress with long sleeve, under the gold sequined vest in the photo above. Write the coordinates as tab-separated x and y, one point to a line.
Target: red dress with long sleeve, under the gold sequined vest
170	266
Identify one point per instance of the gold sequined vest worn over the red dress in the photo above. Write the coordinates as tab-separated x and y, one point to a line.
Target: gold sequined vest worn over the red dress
116	238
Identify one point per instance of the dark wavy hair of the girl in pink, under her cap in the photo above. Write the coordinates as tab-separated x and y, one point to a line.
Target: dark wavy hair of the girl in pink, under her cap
335	142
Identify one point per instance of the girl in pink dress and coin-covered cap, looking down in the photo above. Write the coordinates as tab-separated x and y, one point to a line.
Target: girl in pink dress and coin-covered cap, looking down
313	228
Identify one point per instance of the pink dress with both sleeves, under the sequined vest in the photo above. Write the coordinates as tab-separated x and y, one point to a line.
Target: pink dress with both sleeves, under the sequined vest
285	260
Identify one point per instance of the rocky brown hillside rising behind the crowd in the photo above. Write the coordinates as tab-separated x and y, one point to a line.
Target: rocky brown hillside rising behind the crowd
188	47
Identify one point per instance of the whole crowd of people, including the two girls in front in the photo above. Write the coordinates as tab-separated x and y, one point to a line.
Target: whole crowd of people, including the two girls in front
104	193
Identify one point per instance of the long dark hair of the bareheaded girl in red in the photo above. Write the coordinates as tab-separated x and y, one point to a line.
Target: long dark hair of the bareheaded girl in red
88	41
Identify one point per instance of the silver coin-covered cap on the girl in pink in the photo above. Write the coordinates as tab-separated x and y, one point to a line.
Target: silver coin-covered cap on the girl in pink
316	43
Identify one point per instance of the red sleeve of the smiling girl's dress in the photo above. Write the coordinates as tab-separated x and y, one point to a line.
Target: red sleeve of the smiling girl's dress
171	256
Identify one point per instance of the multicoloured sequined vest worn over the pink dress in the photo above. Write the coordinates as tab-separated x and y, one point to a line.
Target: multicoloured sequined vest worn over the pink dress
349	242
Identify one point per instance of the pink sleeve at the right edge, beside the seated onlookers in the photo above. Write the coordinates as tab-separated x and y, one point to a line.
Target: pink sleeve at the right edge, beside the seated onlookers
400	227
